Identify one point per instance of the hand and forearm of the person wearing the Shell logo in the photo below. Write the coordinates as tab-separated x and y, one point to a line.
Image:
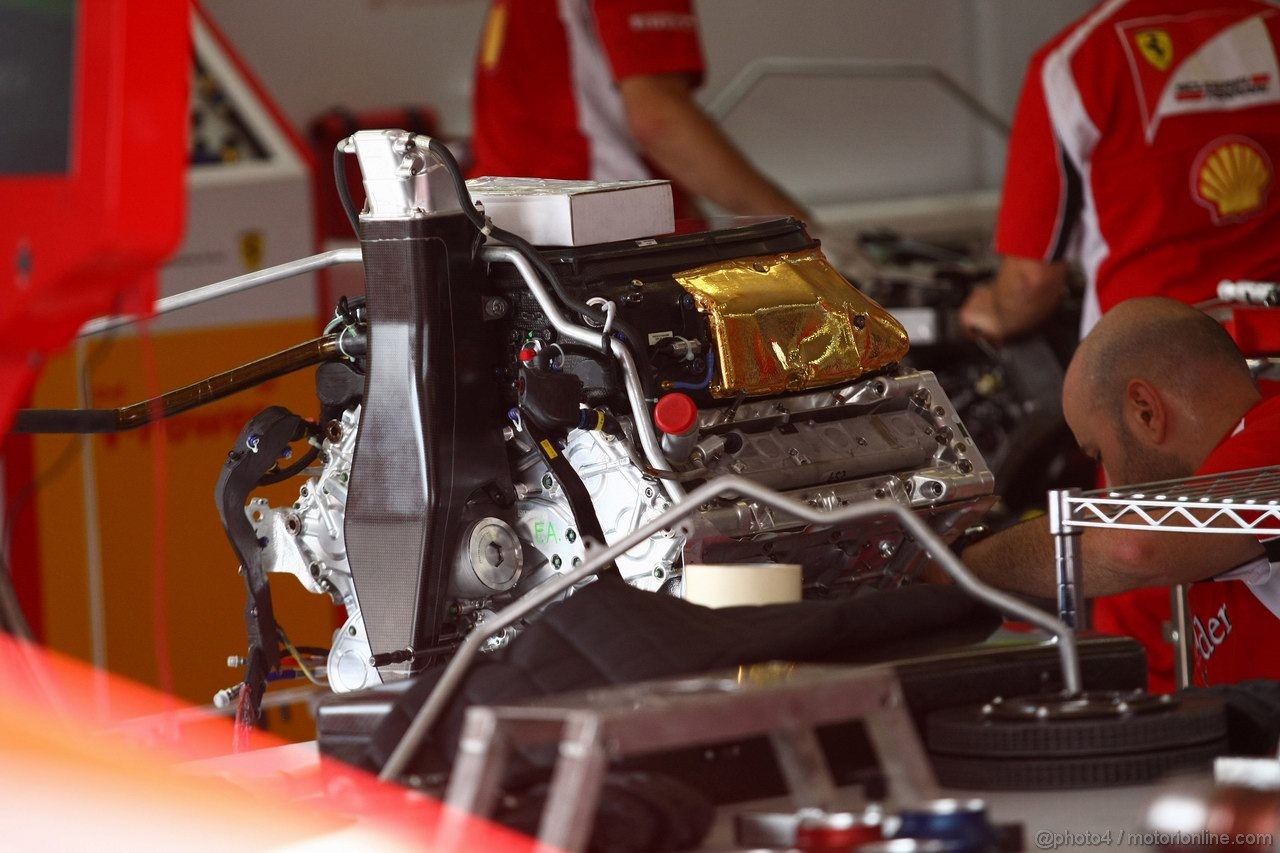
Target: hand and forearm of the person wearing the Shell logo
1025	295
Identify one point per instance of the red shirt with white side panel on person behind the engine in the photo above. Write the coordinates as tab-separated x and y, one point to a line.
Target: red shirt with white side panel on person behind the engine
546	99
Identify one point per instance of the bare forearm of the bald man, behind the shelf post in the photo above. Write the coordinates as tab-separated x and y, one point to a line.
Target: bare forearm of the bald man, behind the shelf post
1022	559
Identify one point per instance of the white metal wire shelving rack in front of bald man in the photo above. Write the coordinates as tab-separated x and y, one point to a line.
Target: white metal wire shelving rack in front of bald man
1236	503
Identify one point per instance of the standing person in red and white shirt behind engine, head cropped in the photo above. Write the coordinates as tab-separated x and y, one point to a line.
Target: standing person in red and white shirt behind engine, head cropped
604	90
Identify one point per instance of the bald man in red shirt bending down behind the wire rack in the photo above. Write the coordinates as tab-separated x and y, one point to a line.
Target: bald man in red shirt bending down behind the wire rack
1159	391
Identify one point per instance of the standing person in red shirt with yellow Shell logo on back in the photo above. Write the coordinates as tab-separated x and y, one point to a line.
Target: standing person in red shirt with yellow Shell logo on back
1145	148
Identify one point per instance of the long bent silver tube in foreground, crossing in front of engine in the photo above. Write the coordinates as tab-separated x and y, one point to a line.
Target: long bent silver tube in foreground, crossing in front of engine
737	486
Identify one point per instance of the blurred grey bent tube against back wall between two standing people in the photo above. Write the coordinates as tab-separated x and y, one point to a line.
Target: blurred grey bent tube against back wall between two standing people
755	72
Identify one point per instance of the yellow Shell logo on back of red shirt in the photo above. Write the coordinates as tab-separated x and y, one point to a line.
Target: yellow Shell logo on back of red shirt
1232	177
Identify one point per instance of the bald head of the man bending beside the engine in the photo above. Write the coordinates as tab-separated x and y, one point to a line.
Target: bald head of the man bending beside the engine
1154	389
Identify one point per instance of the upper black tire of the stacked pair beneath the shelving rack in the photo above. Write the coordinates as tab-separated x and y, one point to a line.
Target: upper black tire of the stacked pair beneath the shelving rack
967	733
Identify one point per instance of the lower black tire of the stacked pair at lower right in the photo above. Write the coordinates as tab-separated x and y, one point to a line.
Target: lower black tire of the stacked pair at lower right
1063	774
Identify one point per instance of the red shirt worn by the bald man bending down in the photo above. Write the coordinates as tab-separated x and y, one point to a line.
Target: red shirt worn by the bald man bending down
1236	618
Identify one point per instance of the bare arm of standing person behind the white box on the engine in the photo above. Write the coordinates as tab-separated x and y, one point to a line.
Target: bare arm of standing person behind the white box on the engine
683	142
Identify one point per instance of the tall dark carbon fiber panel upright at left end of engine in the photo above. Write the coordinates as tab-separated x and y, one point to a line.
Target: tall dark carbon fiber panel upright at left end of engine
429	432
